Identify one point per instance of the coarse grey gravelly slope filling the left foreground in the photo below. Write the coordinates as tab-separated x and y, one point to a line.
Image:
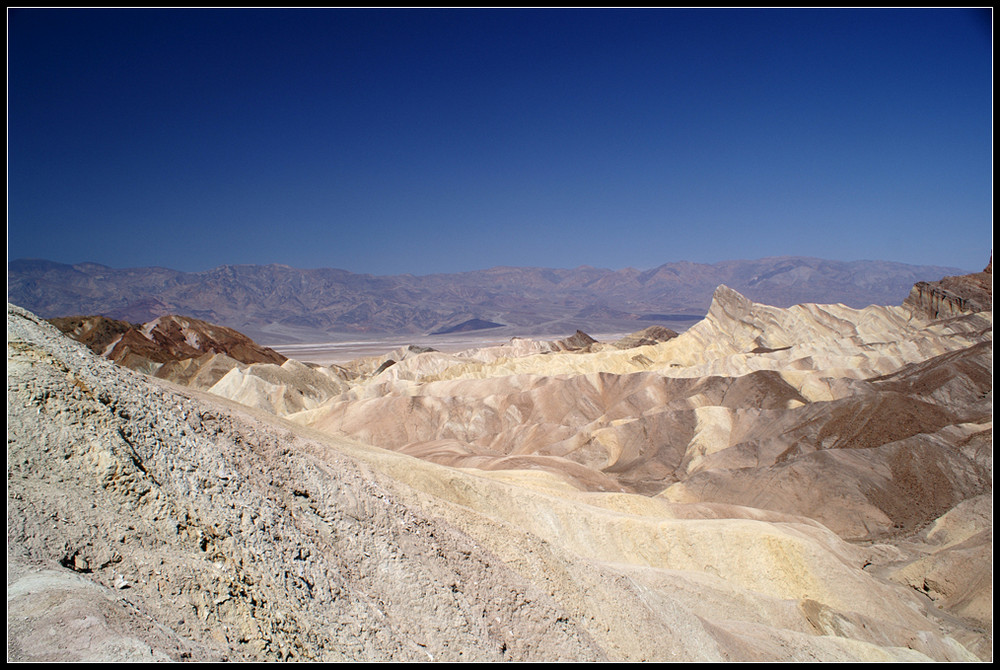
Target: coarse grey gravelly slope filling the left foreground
145	525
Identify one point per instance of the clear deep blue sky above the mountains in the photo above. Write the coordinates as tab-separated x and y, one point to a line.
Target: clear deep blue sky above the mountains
421	141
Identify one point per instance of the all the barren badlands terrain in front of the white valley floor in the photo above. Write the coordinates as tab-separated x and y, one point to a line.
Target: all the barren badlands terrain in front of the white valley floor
810	482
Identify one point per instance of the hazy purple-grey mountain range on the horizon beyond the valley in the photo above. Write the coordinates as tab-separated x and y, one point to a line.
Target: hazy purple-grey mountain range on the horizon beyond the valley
280	304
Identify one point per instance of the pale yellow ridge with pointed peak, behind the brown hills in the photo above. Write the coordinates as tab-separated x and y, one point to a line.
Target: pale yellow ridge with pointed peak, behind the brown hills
812	346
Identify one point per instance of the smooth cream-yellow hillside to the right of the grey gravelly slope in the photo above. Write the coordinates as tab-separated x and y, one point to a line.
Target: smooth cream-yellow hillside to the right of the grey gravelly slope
753	579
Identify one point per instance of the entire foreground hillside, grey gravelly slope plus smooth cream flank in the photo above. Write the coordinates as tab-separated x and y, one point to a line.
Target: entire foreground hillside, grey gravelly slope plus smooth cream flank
148	521
